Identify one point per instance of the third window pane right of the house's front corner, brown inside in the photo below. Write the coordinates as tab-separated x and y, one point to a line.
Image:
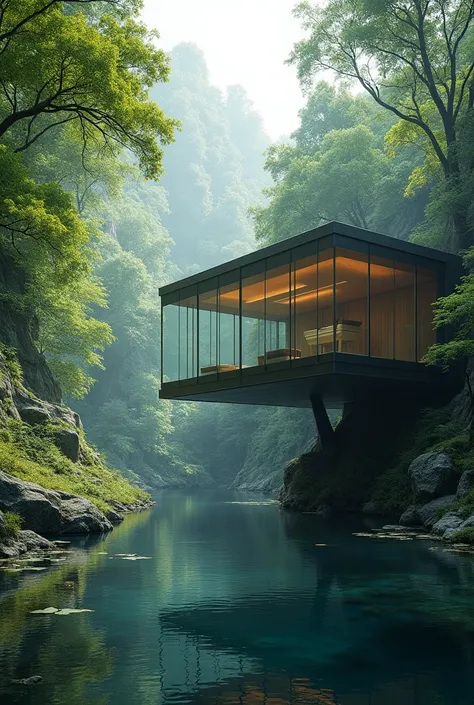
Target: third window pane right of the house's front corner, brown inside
404	312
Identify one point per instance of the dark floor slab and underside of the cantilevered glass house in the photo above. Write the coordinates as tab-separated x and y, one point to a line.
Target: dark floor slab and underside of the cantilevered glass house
337	378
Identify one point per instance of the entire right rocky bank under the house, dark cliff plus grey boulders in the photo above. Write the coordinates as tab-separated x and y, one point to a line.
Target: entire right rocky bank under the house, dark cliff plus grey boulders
392	457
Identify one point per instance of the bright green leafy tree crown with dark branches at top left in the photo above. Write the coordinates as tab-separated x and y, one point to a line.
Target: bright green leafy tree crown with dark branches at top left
59	67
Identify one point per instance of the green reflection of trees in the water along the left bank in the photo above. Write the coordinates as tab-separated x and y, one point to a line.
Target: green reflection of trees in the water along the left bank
68	652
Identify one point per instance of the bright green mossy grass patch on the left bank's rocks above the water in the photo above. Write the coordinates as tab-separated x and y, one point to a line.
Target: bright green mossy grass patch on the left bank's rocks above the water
29	453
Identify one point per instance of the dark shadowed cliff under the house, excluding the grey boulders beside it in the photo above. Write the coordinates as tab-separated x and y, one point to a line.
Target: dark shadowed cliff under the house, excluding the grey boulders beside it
375	445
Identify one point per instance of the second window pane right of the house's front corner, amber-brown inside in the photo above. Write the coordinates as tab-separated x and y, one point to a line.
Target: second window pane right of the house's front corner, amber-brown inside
382	307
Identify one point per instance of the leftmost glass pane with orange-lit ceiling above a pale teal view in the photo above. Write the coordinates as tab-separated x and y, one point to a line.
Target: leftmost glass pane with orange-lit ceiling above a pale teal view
228	333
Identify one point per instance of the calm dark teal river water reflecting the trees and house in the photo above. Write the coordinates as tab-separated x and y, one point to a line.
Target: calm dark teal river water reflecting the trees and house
238	605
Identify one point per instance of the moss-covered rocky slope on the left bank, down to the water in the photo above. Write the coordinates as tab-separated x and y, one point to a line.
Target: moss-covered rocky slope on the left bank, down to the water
49	476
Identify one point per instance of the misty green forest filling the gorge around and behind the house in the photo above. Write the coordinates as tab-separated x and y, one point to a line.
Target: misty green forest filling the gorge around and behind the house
124	168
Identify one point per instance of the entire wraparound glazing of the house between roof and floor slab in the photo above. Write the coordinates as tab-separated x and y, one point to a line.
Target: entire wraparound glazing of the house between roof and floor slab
301	304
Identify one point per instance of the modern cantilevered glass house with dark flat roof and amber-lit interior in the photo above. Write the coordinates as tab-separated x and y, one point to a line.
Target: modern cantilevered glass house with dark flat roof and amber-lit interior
334	312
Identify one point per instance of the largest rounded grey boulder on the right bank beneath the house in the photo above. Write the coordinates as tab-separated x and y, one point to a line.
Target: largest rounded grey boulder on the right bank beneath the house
432	475
